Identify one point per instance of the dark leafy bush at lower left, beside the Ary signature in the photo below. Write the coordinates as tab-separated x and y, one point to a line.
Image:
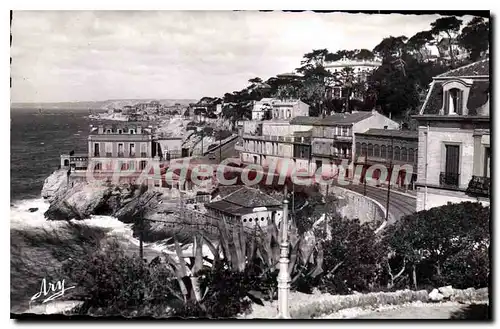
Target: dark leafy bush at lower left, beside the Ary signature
111	283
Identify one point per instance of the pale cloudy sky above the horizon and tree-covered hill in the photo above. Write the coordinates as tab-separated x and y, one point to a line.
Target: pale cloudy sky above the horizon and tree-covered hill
100	55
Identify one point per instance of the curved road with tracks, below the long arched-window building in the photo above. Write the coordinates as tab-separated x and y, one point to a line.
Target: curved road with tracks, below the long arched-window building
399	205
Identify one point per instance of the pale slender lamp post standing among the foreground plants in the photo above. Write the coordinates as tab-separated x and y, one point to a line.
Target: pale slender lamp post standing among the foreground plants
284	276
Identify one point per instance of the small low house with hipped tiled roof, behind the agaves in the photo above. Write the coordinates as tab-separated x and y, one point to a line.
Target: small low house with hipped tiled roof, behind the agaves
244	204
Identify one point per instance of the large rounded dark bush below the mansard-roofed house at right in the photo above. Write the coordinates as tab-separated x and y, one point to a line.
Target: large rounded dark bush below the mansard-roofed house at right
445	245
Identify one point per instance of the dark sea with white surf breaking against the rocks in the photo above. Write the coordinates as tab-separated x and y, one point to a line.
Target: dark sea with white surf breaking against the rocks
37	140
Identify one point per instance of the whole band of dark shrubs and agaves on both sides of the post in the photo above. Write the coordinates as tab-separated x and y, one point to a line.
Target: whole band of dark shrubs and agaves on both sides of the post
442	246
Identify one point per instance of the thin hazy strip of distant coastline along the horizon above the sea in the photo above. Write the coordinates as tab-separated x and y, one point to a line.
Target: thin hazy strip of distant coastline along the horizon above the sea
99	105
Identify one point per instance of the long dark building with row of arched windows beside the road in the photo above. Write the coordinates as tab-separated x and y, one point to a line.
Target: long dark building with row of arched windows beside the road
385	147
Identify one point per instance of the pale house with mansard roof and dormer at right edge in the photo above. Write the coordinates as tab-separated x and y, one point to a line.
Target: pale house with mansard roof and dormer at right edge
454	151
